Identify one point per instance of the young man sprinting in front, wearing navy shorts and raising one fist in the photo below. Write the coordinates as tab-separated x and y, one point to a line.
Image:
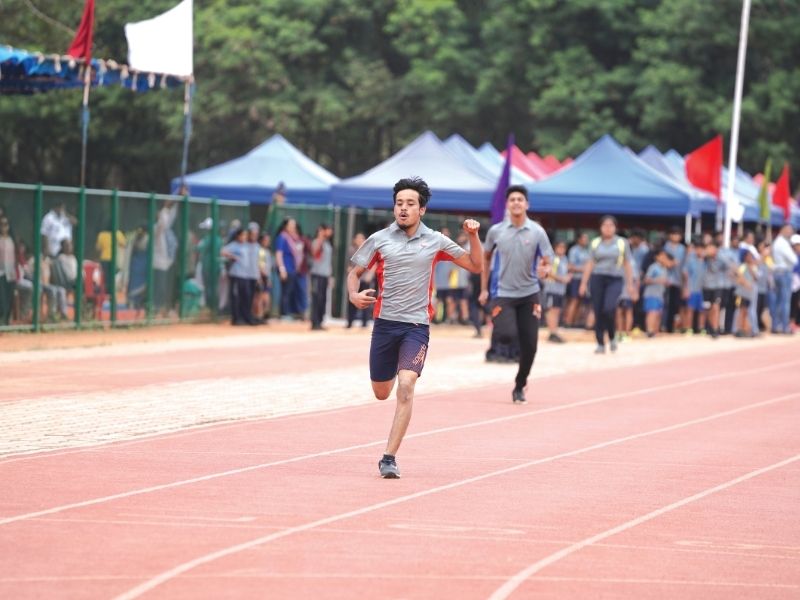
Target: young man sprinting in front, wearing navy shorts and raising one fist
404	255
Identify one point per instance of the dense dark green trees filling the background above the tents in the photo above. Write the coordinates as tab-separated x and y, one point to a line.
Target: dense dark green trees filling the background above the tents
352	81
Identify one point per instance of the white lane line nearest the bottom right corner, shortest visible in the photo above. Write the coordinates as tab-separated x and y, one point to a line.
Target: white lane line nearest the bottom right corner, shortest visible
514	582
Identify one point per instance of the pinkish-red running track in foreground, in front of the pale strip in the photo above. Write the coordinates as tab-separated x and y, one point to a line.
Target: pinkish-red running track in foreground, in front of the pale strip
676	479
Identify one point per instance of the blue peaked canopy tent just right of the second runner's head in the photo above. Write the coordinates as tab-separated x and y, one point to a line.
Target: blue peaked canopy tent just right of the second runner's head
607	178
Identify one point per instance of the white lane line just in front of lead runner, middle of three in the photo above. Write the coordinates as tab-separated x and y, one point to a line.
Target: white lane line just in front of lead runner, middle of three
178	570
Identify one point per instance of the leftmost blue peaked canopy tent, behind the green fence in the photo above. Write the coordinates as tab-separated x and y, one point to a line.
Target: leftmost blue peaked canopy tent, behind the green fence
257	174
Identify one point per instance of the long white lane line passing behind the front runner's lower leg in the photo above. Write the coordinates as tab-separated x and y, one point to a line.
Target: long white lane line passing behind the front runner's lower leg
229	472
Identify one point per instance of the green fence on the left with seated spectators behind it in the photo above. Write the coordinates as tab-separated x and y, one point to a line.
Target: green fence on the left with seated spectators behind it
162	266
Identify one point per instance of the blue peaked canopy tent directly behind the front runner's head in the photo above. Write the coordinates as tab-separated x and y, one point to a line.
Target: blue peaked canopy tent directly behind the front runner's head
455	186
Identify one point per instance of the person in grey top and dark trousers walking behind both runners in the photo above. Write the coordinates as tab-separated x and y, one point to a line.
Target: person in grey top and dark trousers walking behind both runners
609	269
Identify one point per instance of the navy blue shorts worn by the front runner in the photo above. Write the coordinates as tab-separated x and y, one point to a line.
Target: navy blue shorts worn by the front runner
397	346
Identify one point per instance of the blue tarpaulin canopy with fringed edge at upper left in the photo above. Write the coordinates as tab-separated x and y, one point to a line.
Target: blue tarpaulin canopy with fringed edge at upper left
23	72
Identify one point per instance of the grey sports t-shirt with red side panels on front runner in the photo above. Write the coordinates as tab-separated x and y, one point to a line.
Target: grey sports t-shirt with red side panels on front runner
404	270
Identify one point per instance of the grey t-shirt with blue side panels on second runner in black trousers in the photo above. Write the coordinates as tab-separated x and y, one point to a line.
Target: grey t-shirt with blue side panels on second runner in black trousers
517	251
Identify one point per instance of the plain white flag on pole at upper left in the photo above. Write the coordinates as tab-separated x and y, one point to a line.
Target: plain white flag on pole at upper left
163	44
